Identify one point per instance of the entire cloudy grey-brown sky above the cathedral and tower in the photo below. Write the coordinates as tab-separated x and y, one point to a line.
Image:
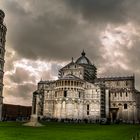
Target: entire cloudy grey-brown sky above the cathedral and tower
43	35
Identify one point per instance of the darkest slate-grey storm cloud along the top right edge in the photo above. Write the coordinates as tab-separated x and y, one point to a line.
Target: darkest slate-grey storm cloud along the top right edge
107	11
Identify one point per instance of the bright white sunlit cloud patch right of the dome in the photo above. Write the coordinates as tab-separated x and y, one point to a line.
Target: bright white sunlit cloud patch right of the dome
114	40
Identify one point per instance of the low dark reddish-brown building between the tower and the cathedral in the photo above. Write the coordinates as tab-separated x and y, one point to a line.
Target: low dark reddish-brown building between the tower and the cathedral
15	112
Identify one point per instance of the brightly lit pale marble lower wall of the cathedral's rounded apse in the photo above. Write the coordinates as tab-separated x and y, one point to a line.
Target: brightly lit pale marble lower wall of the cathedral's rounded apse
73	106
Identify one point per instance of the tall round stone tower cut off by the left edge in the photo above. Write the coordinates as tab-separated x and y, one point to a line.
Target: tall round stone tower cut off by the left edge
3	30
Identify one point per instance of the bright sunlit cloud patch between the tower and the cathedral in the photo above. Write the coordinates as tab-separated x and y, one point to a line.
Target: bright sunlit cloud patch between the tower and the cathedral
21	81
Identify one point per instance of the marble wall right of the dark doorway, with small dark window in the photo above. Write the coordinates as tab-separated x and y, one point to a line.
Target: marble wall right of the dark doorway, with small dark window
119	99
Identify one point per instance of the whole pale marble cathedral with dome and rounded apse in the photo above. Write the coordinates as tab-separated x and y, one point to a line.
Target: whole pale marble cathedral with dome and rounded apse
78	94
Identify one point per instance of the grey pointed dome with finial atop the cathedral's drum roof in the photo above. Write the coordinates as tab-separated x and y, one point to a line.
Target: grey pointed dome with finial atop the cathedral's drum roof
83	59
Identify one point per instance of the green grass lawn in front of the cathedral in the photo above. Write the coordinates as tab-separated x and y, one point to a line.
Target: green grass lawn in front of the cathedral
61	131
